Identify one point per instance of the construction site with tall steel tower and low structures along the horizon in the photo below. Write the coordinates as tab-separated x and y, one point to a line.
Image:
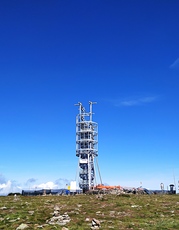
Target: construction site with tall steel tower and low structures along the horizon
88	177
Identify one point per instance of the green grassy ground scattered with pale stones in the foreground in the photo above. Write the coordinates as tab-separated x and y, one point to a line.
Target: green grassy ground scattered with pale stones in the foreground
114	212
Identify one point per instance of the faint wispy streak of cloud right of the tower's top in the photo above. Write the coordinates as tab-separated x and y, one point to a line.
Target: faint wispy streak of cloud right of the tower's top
136	101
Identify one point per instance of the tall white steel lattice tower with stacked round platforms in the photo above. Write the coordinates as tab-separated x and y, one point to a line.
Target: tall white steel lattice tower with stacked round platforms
86	146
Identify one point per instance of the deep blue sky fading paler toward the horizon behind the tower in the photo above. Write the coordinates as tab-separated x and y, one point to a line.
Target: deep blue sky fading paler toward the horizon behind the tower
122	54
